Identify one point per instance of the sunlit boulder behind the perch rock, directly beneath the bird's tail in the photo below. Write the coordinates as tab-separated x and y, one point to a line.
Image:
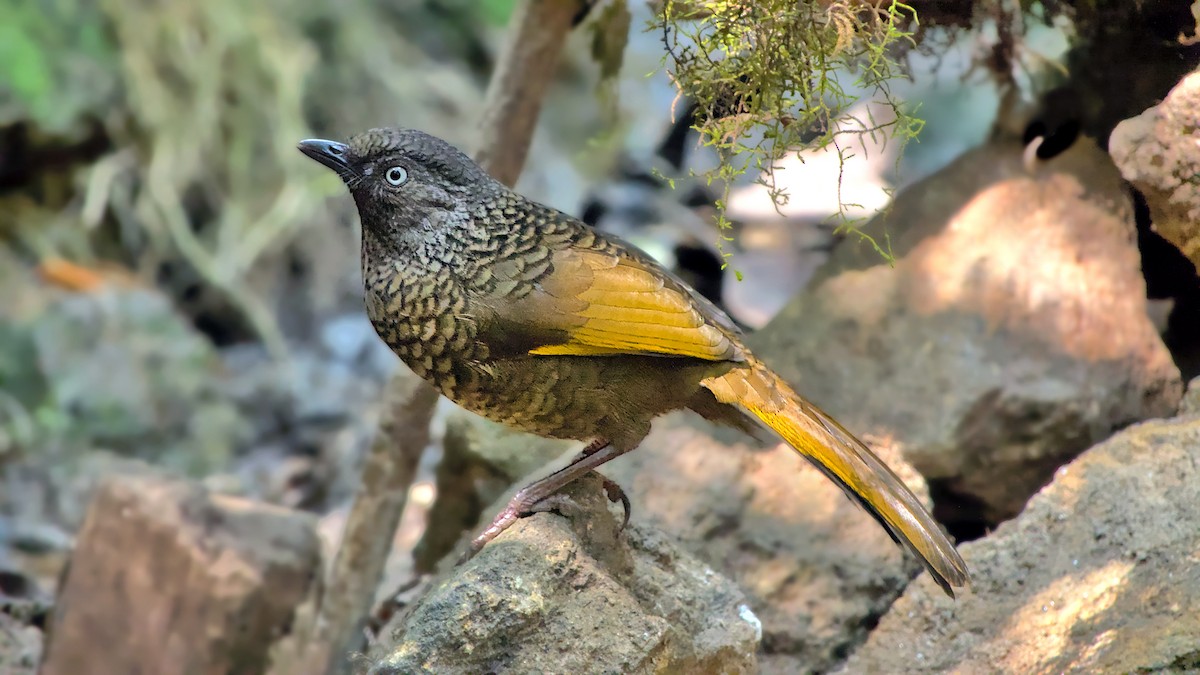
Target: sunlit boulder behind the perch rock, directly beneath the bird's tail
815	568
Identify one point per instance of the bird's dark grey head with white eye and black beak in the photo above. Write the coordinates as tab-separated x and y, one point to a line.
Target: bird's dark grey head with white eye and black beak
404	178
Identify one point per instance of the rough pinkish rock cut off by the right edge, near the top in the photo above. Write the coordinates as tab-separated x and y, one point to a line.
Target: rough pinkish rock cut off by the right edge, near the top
1159	152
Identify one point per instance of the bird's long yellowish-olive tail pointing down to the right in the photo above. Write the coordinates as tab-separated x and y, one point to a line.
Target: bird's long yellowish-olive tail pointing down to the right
847	462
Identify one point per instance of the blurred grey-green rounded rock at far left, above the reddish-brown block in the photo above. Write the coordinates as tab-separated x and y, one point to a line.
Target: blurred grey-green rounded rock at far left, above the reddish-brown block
134	375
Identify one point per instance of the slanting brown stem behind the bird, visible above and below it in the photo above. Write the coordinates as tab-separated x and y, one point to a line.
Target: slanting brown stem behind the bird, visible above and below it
538	32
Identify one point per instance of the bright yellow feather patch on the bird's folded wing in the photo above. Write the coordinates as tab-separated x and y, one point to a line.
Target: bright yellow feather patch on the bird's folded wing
631	309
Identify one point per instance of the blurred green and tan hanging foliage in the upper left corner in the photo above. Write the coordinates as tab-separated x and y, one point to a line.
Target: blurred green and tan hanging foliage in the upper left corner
163	135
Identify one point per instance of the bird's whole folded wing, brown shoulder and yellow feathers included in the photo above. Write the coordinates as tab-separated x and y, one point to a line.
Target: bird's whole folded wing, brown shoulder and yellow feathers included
607	301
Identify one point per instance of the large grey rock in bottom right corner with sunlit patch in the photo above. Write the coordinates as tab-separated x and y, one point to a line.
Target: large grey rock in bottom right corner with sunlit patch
1099	575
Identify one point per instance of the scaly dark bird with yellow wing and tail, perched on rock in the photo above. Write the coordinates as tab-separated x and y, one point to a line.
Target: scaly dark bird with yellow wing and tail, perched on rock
526	316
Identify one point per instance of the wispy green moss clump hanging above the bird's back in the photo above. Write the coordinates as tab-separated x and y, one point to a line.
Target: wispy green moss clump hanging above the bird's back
766	77
